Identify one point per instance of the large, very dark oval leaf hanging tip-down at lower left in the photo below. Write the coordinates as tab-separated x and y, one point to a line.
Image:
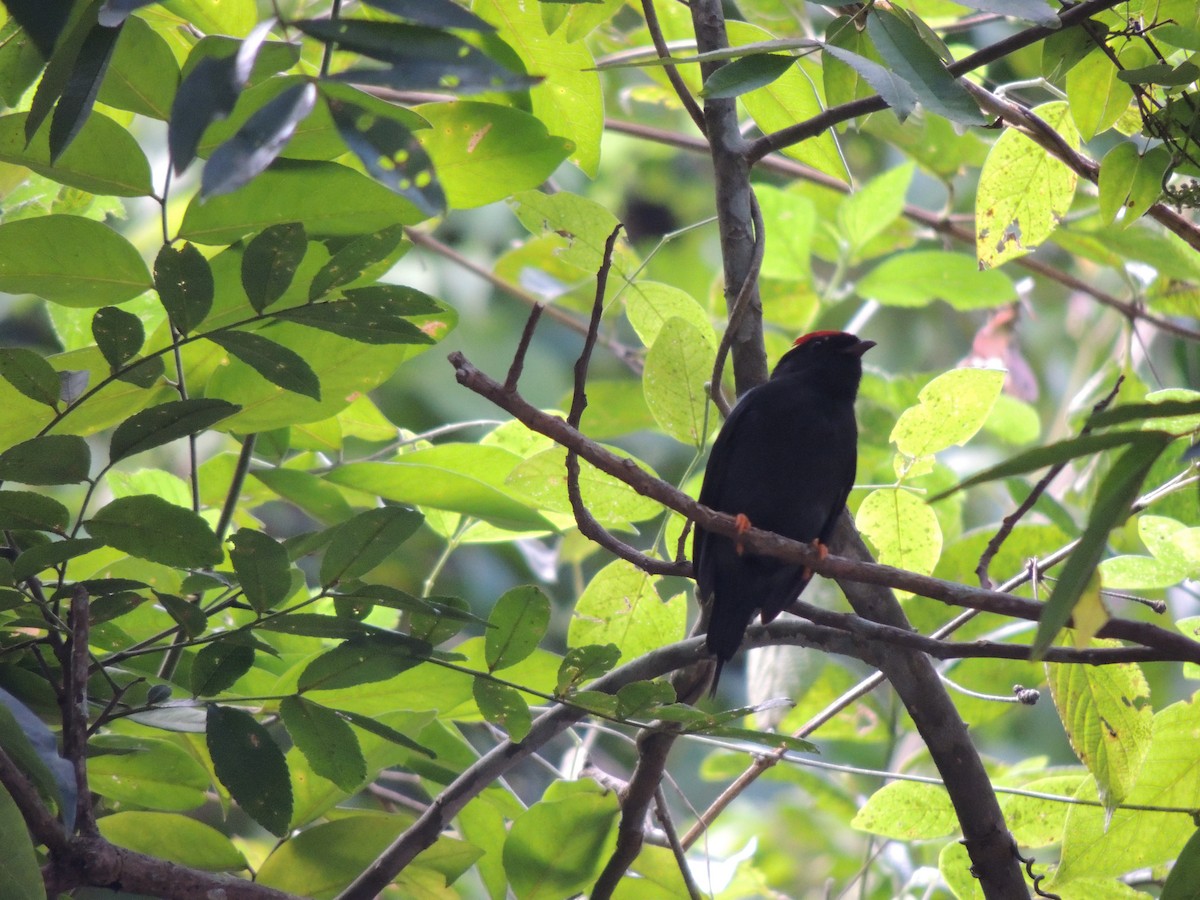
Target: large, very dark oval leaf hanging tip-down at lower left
251	766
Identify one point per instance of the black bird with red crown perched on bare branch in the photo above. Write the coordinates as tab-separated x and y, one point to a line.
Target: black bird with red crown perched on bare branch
785	459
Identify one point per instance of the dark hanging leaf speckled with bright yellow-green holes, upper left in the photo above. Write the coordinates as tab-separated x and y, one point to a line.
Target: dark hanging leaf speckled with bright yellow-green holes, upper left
385	142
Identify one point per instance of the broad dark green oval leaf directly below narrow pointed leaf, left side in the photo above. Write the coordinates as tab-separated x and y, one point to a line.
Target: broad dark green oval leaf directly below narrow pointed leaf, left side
152	529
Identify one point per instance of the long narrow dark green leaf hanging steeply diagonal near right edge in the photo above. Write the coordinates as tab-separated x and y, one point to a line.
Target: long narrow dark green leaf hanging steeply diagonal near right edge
1114	497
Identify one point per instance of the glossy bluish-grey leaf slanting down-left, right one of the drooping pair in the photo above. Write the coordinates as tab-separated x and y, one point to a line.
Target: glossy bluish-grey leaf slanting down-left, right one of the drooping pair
259	142
